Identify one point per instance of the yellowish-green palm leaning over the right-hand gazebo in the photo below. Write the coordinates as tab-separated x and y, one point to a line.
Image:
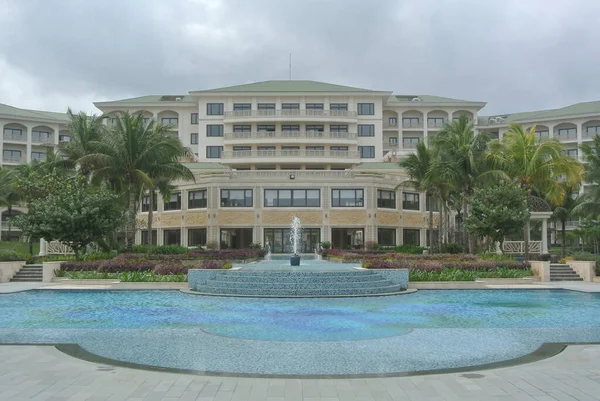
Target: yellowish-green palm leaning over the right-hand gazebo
540	168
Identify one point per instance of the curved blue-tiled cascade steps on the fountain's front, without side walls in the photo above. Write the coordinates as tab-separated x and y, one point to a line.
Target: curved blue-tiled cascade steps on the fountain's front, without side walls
299	284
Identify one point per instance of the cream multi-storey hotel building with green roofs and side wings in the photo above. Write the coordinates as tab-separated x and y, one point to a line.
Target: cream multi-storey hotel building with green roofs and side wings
270	150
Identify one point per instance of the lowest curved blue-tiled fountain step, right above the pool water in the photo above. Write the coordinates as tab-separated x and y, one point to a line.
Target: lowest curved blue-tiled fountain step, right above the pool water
304	292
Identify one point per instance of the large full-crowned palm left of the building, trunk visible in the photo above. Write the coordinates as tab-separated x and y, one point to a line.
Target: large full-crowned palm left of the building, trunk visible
129	155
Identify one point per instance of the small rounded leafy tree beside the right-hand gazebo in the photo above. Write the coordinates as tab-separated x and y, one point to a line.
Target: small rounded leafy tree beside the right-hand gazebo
498	212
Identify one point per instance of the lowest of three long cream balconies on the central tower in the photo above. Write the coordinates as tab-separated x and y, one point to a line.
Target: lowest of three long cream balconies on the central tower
291	156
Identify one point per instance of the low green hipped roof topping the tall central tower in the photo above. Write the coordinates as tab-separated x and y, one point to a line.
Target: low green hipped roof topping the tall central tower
288	86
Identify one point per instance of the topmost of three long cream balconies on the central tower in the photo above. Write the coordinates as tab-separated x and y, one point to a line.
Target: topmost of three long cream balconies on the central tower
295	115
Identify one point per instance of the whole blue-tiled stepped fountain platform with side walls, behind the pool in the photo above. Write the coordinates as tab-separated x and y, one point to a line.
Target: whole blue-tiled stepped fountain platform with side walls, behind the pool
313	278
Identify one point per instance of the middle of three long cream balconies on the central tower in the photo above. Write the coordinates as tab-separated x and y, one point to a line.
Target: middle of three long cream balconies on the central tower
290	137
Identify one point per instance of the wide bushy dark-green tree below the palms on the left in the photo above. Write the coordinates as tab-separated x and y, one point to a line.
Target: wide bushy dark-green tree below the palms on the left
71	212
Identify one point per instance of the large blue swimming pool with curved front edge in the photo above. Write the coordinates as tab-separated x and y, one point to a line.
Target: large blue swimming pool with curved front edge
421	331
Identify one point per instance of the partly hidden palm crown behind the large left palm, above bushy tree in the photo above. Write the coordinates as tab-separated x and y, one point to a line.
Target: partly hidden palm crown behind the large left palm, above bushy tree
85	130
